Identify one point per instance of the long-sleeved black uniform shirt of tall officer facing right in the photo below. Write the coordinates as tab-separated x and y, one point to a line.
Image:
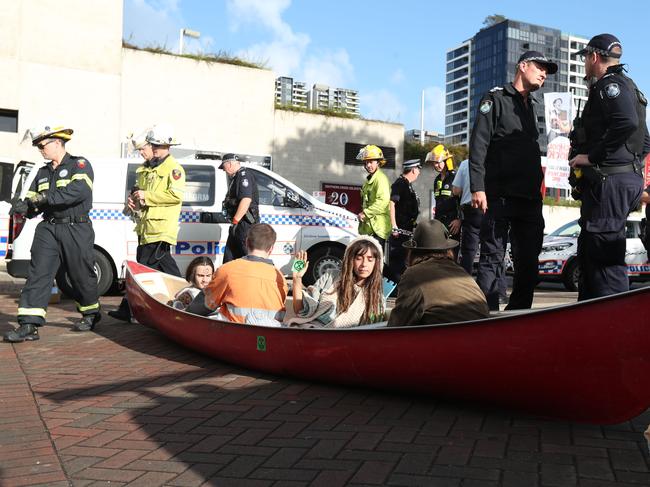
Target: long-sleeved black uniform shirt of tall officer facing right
504	155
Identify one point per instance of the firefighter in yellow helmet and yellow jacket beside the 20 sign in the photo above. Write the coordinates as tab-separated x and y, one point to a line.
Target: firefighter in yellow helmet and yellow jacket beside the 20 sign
375	196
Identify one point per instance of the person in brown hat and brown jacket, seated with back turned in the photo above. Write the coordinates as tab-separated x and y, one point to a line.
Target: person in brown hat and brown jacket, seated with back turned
434	288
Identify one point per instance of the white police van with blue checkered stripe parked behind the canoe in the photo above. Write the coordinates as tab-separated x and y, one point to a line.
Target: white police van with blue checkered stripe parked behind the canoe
300	220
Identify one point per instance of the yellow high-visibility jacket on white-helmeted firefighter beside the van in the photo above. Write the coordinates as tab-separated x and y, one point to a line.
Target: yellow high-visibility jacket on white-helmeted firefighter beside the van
163	186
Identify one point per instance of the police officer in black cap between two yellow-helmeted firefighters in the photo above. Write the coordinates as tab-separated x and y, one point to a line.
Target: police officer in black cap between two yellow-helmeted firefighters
404	211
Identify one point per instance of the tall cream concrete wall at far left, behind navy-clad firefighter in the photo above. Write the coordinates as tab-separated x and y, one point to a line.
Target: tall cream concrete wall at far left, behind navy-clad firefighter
61	63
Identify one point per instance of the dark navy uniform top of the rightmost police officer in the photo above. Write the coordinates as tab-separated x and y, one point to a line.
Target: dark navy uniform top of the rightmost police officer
614	120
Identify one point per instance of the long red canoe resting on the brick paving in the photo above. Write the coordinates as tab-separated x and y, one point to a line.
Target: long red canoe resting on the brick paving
586	362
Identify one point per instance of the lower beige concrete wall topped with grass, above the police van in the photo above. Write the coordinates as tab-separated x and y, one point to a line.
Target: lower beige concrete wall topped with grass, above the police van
213	106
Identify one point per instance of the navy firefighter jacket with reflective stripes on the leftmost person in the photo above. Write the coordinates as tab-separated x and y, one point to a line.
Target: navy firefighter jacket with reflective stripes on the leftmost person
69	187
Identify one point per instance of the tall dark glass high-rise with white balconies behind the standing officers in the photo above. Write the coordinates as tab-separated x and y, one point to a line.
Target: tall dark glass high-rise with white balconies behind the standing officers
489	59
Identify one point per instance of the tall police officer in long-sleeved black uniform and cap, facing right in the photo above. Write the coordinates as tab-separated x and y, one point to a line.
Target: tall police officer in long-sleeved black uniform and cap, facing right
506	178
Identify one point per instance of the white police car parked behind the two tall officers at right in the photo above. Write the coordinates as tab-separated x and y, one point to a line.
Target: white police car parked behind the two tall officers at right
558	260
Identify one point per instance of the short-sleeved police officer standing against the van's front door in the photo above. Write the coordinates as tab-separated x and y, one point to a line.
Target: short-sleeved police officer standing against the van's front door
241	205
